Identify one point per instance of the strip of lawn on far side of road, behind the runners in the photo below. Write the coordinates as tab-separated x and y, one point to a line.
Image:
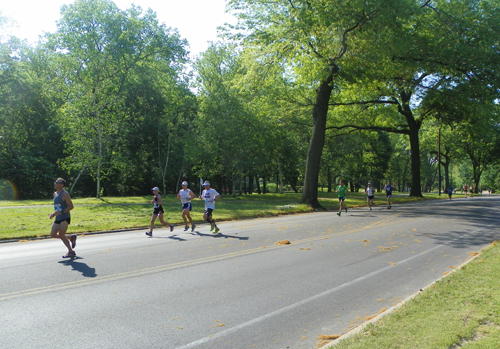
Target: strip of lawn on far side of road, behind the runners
29	218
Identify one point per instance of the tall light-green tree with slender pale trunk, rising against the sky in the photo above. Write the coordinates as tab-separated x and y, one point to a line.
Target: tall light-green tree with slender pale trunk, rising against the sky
99	47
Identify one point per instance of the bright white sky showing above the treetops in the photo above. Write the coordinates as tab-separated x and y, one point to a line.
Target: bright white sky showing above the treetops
196	20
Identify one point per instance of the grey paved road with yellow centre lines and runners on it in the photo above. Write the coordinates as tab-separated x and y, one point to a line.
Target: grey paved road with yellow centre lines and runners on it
239	289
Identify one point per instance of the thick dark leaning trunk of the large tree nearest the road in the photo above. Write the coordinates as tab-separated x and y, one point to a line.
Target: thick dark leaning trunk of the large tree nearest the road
319	114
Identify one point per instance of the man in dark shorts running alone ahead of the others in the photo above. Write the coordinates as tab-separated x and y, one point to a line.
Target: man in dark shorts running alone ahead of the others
62	206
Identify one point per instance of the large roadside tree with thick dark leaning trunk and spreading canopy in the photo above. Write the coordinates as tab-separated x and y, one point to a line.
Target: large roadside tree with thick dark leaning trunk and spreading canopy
315	38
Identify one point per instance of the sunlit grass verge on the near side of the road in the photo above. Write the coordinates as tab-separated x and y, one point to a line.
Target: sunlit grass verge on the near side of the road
462	310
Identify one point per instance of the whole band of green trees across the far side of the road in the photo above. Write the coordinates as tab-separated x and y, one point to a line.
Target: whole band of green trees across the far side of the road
297	93
